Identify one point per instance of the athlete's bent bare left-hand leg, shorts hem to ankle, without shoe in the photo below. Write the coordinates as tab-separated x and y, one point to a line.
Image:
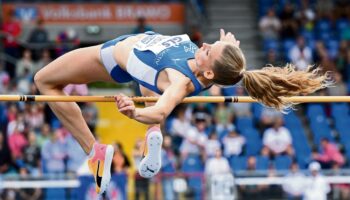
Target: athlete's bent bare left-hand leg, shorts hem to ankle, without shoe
76	67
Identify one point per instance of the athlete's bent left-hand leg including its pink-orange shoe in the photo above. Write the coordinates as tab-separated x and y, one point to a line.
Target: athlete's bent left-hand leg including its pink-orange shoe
77	67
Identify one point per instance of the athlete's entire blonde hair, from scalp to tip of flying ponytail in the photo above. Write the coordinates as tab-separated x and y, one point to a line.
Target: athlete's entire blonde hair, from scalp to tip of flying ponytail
269	84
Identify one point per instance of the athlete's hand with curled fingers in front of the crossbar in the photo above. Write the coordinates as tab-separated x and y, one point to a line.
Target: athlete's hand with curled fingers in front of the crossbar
125	105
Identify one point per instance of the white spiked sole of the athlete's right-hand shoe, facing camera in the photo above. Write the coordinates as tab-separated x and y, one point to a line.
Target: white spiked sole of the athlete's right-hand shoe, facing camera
151	163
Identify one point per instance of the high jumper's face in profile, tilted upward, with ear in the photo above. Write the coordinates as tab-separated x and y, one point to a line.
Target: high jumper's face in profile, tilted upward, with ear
206	56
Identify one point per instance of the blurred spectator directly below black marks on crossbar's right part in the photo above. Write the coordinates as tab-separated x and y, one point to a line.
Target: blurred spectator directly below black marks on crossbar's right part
223	118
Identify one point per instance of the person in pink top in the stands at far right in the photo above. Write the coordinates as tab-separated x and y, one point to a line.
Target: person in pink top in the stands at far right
330	155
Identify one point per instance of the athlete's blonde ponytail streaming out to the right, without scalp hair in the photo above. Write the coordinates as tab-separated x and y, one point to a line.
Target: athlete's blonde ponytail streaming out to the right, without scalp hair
270	83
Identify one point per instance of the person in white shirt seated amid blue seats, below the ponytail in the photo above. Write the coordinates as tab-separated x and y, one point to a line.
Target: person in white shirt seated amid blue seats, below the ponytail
277	140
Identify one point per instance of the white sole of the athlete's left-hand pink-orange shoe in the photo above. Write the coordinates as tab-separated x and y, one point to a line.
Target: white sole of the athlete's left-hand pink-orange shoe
106	178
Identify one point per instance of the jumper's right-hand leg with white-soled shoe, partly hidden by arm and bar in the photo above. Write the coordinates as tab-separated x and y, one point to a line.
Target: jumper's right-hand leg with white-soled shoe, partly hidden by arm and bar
151	163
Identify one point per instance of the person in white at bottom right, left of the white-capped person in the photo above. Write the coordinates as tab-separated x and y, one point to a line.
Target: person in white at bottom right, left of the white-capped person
294	183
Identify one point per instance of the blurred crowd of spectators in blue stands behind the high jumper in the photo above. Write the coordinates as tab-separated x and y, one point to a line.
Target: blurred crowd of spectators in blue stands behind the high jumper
205	139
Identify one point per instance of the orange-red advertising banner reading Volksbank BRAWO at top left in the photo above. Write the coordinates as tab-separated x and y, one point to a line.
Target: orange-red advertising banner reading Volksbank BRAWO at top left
89	13
